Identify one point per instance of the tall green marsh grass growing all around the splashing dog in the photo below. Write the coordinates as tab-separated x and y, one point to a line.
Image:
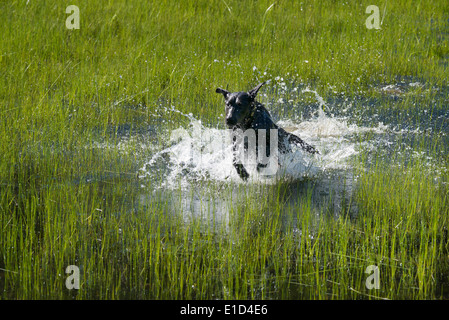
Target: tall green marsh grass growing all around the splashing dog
64	201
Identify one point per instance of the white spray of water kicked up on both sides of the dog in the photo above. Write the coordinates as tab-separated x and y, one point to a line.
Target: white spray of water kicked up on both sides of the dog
198	153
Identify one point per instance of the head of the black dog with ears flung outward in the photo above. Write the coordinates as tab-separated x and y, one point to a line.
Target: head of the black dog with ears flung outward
238	104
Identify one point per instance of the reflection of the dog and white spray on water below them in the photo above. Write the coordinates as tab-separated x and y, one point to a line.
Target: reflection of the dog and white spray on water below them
330	193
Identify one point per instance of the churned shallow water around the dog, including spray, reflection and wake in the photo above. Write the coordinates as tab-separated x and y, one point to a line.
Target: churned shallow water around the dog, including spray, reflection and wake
194	158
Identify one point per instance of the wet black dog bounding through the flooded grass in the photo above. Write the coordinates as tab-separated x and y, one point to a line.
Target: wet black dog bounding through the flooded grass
244	112
